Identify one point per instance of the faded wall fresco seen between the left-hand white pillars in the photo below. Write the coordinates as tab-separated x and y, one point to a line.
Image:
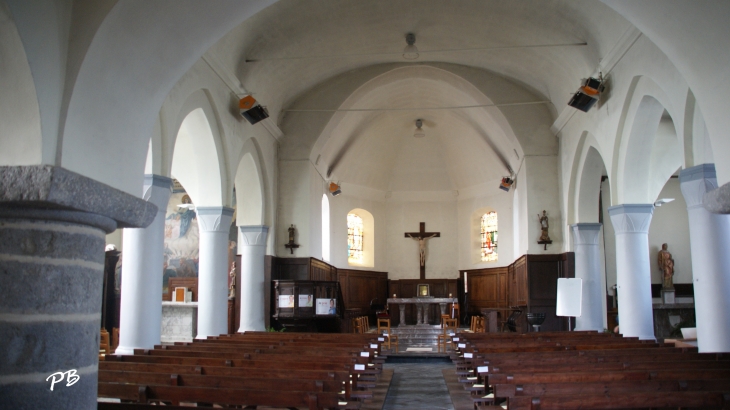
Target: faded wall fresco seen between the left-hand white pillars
181	239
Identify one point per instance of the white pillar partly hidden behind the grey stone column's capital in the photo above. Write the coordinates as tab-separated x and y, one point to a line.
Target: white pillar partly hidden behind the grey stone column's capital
142	261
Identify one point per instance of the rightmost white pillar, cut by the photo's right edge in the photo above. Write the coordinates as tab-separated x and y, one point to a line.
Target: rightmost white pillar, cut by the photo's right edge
709	236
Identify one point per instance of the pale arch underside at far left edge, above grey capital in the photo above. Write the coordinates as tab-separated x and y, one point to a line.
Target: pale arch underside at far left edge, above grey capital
21	139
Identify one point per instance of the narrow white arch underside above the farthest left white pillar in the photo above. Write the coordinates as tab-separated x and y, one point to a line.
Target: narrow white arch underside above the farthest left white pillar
250	187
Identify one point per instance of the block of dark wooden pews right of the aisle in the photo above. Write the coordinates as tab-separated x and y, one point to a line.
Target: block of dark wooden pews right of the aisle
587	370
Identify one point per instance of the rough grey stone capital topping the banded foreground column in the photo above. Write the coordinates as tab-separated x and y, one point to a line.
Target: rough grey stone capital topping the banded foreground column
47	187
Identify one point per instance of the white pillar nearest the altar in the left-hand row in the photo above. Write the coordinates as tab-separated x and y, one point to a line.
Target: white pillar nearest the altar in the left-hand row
252	248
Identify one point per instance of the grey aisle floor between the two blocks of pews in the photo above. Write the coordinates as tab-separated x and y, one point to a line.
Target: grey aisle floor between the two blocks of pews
418	386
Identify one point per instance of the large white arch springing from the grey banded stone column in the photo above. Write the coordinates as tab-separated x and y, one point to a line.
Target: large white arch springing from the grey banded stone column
117	115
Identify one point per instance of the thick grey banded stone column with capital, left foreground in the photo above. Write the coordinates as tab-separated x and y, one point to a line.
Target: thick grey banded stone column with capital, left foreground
51	278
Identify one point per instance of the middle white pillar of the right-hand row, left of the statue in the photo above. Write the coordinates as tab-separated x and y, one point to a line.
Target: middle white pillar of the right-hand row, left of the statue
633	279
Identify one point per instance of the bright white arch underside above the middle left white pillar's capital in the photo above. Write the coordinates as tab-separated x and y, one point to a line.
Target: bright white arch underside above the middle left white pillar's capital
197	159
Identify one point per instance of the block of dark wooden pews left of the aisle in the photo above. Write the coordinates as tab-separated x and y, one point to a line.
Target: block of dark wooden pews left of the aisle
296	370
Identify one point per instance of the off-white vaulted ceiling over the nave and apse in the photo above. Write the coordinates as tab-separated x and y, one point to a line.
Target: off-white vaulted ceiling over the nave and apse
307	60
